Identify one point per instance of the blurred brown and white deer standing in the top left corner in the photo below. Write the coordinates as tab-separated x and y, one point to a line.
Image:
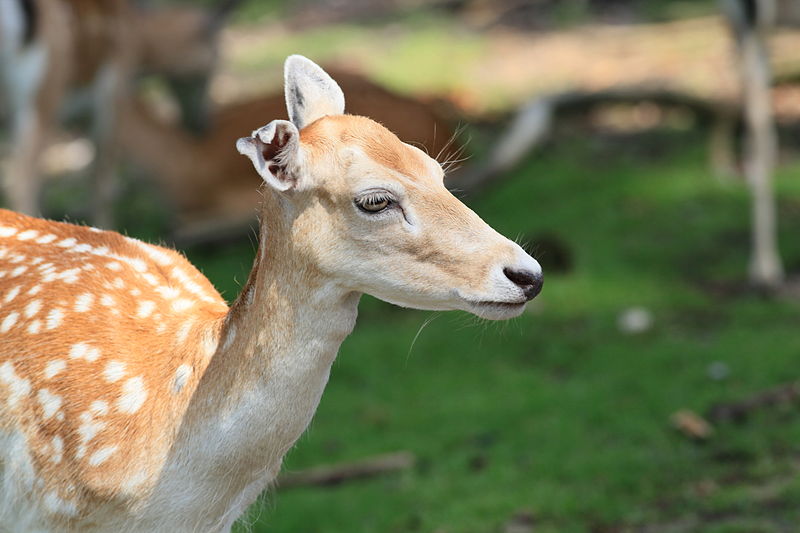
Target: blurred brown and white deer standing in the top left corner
59	57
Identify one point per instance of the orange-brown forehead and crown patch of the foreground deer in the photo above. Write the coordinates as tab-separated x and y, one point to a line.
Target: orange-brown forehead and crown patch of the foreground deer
378	145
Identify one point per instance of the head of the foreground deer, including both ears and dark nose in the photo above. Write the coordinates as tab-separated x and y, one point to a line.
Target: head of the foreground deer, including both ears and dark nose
372	214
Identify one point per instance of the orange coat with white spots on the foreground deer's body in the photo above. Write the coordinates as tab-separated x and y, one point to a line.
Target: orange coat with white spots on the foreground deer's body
102	341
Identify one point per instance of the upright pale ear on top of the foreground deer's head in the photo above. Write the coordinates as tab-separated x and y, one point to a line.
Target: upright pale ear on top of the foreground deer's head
310	92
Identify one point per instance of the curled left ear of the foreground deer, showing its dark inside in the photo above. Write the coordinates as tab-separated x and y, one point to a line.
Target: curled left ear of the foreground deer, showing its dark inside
274	151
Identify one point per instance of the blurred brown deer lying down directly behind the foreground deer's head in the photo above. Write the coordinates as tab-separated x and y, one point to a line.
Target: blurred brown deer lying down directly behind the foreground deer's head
213	190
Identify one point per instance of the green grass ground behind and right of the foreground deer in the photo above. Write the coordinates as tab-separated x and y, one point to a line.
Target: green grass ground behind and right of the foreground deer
557	413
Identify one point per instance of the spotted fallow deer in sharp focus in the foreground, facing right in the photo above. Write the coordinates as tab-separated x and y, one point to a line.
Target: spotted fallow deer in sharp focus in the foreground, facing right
132	398
